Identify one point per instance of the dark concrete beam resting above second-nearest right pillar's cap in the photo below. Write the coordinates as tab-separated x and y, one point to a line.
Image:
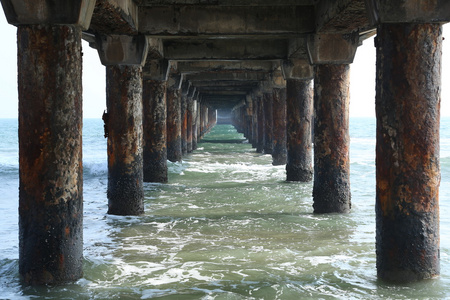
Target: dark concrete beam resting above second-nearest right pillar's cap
342	16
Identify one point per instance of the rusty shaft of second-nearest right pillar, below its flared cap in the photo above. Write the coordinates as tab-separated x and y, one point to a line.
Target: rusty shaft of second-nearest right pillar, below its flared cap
331	191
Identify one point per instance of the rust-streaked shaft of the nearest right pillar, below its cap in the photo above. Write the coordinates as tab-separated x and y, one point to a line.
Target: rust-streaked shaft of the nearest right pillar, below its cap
407	152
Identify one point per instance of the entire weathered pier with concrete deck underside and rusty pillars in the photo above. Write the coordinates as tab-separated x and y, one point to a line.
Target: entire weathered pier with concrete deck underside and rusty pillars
279	70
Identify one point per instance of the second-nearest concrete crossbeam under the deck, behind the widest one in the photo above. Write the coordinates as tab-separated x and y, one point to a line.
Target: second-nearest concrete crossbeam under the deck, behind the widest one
225	49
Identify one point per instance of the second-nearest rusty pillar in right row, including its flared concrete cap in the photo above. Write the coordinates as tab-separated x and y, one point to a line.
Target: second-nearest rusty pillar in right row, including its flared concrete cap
331	189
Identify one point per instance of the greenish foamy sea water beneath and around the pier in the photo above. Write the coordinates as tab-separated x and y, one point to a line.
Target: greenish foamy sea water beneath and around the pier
226	226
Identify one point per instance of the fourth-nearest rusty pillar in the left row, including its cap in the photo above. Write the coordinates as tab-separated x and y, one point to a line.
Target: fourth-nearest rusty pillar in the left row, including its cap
173	98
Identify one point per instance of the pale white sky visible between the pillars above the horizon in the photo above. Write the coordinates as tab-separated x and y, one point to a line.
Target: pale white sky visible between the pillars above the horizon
362	76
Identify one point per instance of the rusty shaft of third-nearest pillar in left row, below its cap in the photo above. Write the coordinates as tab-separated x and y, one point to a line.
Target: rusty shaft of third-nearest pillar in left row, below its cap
155	131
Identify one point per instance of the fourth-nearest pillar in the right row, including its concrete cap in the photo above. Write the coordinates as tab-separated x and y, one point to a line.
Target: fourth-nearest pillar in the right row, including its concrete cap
279	153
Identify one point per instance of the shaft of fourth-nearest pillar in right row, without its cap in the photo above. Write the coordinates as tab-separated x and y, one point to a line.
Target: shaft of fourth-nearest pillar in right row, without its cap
279	127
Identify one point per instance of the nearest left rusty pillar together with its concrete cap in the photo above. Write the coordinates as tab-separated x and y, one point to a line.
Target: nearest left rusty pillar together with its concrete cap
50	139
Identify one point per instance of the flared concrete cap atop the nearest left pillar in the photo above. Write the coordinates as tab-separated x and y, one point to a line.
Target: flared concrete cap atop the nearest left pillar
33	12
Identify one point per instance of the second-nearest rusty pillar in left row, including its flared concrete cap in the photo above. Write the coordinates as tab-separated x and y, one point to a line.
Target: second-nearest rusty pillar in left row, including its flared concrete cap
123	57
